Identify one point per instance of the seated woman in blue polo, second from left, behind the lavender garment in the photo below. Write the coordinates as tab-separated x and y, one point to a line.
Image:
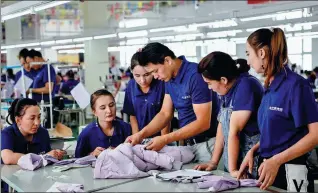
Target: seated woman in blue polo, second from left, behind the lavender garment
107	131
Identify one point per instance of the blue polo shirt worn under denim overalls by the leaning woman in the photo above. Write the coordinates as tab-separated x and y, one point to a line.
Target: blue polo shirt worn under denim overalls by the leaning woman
245	94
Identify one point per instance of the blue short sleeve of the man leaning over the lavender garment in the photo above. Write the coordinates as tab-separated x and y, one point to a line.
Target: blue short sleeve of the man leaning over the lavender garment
200	92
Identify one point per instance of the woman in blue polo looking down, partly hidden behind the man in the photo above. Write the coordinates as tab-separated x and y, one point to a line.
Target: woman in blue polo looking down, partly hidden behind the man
143	98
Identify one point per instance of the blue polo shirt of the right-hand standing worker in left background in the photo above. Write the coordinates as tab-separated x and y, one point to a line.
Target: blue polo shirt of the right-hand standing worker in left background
41	79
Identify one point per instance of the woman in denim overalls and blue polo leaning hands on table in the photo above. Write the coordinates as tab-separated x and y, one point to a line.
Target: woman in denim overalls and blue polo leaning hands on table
241	95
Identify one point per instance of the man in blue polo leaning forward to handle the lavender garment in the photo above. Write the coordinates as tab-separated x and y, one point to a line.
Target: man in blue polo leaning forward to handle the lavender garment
197	106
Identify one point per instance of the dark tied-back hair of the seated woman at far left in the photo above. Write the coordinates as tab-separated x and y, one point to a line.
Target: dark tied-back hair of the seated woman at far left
18	108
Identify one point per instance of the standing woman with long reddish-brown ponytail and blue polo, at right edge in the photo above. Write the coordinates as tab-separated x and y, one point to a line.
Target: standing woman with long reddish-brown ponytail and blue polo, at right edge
287	116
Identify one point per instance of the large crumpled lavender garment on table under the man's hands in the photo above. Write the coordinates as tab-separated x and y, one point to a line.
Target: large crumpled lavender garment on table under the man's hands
128	161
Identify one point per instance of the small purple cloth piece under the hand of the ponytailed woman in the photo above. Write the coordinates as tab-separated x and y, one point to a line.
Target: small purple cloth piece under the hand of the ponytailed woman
220	183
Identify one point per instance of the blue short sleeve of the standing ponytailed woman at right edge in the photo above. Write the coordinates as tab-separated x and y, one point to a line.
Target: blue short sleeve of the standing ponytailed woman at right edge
303	106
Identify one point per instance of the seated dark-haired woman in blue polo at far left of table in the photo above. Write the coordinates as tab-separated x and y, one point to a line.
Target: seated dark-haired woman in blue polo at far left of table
25	135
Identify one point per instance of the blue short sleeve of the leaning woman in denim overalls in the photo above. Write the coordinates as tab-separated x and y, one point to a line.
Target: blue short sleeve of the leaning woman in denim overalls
247	96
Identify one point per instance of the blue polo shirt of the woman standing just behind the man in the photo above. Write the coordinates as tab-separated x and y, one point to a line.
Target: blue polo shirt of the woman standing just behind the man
144	106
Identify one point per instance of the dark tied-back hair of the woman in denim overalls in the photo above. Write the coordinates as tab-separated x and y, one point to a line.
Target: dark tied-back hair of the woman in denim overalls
219	64
